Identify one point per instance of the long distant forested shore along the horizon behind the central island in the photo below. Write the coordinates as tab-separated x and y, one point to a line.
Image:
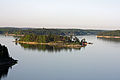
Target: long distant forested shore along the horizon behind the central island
45	31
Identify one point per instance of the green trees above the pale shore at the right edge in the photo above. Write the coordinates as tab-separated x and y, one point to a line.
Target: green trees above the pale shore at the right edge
110	33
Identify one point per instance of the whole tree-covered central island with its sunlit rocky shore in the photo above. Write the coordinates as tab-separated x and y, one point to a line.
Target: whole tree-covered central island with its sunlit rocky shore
52	40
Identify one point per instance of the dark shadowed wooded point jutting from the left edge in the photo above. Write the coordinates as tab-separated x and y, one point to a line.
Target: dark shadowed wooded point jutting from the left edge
5	59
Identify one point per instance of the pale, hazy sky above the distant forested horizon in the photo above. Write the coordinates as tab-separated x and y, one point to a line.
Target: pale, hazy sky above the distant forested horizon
80	14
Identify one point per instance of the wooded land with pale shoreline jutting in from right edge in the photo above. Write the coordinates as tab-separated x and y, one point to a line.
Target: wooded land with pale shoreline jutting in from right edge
109	34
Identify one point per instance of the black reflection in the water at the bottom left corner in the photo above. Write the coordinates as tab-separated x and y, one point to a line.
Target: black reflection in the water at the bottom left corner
4	71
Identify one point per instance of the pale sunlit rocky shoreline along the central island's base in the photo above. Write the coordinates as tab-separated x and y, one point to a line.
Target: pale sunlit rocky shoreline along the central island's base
52	44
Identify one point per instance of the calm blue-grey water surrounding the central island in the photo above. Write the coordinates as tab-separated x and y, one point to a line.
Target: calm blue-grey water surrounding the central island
100	61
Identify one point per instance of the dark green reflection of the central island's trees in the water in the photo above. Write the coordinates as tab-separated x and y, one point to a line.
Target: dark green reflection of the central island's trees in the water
46	48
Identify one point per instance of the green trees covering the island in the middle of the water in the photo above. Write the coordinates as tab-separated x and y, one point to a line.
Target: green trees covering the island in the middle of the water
48	38
